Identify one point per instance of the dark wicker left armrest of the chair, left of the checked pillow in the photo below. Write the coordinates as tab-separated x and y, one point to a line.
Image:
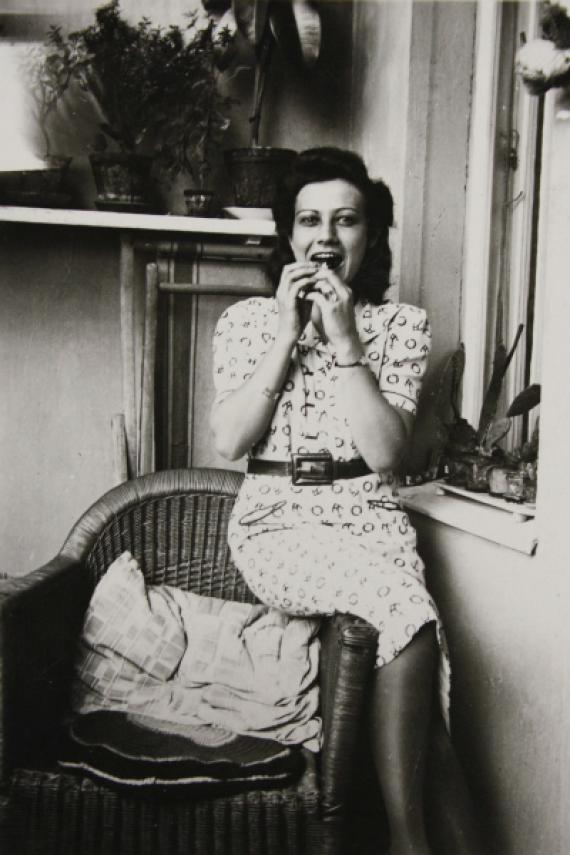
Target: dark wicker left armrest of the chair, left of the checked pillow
41	615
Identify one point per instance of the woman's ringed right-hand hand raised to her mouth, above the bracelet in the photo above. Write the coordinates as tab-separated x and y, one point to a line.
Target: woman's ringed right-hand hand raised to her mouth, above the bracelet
335	300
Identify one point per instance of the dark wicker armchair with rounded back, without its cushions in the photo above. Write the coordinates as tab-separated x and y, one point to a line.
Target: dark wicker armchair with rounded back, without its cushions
175	523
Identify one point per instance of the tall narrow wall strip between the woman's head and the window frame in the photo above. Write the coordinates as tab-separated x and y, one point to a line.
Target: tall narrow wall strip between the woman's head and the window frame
432	245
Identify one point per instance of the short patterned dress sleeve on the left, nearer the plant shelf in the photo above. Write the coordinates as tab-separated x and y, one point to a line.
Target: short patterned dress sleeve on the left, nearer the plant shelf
242	336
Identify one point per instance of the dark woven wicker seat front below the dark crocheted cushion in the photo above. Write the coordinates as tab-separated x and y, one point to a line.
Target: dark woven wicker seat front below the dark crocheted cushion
68	817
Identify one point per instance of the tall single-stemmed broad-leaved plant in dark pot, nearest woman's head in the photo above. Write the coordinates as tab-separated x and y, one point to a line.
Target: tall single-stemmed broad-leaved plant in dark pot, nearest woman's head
262	24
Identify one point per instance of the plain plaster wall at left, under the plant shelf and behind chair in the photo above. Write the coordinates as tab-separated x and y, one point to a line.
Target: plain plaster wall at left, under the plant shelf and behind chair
60	381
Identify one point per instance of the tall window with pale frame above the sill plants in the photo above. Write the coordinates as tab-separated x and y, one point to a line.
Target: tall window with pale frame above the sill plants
502	224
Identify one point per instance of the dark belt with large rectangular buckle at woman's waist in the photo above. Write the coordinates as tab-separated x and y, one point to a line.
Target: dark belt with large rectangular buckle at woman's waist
310	468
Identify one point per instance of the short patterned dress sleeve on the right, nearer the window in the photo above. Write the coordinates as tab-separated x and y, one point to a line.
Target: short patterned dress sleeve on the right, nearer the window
408	344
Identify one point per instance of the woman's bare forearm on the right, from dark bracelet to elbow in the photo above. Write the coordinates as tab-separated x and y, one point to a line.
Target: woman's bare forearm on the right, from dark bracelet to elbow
379	431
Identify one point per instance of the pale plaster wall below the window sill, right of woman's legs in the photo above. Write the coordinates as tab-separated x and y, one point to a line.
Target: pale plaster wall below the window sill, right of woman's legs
507	634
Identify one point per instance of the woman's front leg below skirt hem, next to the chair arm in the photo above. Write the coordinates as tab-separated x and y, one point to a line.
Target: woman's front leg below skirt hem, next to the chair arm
401	723
